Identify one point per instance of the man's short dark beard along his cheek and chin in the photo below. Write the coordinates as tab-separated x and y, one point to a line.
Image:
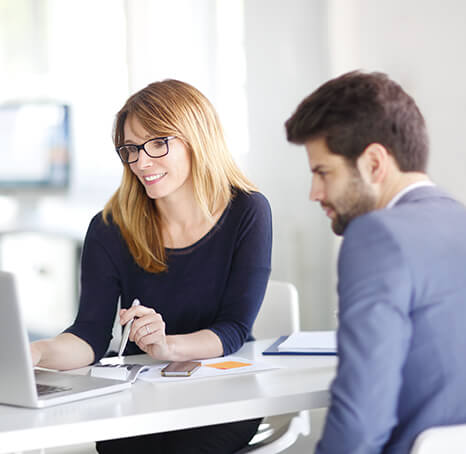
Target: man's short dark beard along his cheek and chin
358	199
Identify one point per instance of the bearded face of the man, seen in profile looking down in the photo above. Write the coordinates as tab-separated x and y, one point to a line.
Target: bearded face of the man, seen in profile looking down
338	186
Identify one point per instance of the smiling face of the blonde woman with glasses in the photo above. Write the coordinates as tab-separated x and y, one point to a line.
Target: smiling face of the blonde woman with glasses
164	177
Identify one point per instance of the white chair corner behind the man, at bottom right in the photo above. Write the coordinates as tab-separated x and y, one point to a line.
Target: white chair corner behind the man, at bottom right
439	440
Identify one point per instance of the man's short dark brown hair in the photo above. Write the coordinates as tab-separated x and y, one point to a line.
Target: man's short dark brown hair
357	109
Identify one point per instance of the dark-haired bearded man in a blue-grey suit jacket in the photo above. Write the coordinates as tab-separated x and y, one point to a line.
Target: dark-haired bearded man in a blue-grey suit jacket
401	267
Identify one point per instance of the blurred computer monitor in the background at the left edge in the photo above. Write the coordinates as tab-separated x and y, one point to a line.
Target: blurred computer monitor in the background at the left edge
34	148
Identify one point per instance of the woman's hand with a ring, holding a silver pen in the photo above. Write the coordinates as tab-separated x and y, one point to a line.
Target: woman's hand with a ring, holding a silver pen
148	331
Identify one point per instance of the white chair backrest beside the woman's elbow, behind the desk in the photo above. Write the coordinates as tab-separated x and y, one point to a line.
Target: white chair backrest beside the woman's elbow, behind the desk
279	313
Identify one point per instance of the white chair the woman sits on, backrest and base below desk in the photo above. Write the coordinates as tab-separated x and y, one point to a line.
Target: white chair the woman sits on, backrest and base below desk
279	315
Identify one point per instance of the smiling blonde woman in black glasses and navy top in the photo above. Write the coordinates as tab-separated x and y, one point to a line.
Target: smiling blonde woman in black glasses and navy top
189	236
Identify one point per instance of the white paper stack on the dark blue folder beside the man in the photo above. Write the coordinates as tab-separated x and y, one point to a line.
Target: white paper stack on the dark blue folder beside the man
310	342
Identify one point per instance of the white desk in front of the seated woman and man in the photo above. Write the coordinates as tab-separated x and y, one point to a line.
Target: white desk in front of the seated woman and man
303	383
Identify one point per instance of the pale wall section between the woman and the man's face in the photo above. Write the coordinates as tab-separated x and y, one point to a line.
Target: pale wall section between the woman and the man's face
287	57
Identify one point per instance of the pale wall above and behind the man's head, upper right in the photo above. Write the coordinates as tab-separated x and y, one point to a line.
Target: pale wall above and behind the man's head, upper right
421	44
